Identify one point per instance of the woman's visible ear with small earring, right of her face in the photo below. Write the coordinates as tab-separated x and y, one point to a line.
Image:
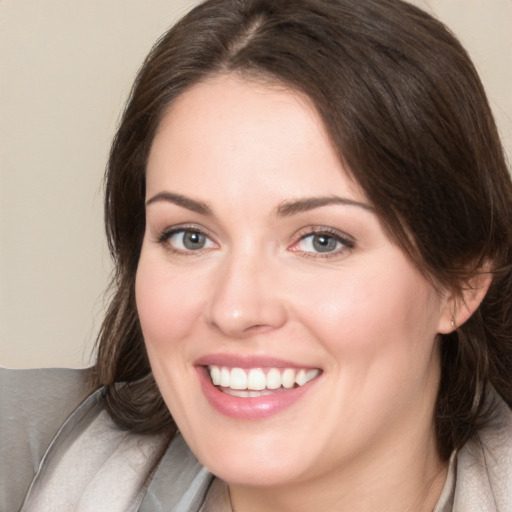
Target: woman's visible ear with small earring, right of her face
458	307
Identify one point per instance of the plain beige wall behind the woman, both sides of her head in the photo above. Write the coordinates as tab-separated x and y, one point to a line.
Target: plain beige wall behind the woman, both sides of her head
66	67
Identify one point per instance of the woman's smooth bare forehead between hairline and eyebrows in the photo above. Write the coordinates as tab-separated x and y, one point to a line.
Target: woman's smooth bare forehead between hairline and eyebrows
243	132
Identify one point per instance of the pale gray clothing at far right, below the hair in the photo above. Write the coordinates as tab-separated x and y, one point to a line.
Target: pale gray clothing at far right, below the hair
484	466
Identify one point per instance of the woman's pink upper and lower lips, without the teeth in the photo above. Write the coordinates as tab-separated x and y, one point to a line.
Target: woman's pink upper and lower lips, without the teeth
250	408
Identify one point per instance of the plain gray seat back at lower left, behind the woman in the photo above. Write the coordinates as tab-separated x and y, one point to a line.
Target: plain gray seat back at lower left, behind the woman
33	405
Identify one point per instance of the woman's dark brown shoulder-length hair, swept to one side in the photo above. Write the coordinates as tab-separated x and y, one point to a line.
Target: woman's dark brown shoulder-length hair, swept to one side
406	110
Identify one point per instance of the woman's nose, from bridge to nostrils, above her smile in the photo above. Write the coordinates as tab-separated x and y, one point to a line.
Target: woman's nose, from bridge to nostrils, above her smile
246	298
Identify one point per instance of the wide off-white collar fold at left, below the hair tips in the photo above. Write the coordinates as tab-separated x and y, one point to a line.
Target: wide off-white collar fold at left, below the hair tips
92	465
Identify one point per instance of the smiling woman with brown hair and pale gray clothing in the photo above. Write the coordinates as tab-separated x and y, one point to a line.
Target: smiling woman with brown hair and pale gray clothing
309	210
